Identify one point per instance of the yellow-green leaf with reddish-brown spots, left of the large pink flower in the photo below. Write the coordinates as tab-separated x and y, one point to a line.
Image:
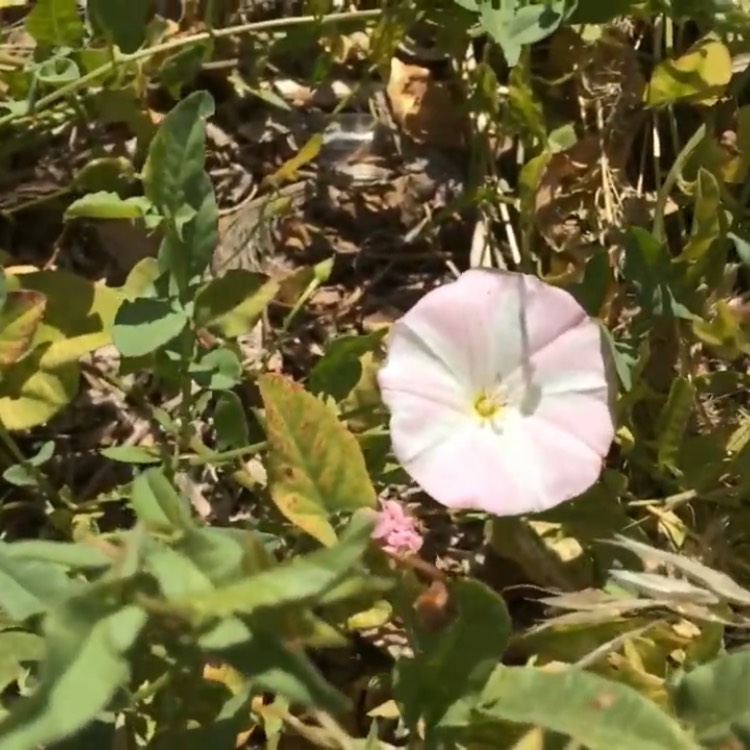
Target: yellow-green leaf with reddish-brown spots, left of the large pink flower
315	466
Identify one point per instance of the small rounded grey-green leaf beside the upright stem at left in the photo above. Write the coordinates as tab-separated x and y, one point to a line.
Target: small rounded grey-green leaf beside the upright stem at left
144	325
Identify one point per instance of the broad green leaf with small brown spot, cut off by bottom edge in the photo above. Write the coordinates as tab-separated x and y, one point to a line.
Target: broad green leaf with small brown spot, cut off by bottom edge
594	712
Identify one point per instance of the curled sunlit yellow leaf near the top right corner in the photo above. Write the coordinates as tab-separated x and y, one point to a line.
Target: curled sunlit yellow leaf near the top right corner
700	75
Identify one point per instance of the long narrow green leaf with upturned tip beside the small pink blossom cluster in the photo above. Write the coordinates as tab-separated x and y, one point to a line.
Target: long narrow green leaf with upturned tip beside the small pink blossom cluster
298	581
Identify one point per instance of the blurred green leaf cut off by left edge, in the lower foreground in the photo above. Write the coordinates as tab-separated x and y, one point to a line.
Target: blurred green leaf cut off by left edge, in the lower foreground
29	587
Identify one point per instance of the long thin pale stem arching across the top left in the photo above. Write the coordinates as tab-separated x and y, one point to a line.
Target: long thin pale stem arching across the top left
246	28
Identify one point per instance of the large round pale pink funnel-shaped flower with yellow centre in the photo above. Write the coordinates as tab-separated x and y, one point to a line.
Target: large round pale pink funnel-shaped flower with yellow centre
498	389
